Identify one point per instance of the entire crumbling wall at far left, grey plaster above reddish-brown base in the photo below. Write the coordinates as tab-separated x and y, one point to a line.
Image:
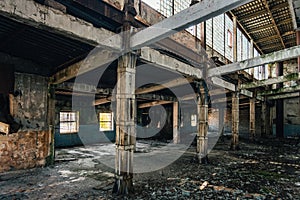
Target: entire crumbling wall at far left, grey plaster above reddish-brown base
30	146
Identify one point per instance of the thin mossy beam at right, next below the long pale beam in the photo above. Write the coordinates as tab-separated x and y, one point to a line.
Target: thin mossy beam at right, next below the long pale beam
270	81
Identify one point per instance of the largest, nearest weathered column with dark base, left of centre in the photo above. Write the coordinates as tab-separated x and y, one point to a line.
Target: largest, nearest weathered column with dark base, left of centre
125	124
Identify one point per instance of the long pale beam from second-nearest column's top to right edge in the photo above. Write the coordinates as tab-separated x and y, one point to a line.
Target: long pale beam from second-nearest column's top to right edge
281	55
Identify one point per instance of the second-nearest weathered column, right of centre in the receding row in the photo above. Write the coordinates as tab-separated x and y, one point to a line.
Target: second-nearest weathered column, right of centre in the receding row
202	139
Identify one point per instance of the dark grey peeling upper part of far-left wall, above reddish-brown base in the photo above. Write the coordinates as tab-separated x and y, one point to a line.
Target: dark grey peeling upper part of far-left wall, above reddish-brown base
30	107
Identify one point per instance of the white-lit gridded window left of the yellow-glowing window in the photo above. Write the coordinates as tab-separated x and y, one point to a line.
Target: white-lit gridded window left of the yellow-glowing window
69	122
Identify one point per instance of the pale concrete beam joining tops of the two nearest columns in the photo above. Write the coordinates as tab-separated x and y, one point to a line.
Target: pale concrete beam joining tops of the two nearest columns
166	62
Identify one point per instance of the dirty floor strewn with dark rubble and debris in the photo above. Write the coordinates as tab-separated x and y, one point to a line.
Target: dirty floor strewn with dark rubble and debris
269	169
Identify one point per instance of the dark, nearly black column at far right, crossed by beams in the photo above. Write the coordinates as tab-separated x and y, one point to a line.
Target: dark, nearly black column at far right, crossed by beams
279	106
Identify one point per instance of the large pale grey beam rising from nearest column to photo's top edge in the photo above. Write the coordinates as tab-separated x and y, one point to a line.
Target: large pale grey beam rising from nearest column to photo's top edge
193	15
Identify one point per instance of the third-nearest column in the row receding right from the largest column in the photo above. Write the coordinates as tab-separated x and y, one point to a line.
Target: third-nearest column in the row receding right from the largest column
235	121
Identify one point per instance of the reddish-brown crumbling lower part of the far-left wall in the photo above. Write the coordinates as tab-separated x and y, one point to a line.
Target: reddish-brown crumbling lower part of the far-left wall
24	150
